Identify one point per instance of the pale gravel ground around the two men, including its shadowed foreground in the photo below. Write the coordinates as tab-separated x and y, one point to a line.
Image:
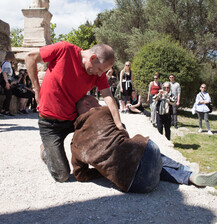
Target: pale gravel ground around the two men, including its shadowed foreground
28	194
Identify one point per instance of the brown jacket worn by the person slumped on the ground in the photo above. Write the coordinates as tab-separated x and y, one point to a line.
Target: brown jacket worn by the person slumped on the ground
98	142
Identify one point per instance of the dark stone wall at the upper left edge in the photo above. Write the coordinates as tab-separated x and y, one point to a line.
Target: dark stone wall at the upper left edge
5	43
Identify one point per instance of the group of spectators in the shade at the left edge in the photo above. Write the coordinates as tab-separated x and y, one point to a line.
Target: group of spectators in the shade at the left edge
16	84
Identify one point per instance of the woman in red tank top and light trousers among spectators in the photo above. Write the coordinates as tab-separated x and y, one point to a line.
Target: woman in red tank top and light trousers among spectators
154	88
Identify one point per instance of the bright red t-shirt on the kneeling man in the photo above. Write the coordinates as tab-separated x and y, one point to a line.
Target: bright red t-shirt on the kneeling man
65	81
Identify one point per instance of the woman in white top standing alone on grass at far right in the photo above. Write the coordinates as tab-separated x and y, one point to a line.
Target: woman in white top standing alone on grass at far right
202	100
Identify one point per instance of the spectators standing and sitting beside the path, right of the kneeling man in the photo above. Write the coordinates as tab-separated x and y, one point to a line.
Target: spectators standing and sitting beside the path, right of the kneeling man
164	100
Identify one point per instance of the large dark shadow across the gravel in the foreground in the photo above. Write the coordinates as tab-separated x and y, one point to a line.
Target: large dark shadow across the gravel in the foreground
164	205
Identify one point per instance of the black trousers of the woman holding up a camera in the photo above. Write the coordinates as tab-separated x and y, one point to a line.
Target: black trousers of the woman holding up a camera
164	121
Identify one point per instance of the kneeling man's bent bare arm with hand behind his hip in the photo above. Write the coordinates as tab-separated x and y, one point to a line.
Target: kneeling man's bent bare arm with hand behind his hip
31	60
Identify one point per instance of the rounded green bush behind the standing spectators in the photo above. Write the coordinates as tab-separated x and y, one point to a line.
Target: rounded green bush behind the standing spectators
167	57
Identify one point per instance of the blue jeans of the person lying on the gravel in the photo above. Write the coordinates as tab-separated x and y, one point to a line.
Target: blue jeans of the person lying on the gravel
154	167
